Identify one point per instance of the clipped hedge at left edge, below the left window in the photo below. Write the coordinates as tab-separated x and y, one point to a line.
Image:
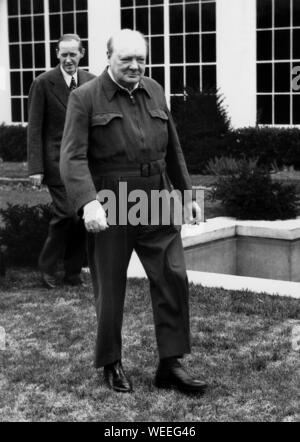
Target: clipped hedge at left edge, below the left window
13	143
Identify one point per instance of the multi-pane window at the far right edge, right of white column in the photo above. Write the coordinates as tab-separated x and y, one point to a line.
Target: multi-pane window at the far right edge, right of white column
278	54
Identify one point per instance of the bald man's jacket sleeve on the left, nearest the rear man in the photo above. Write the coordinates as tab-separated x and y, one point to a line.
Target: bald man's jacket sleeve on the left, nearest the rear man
74	167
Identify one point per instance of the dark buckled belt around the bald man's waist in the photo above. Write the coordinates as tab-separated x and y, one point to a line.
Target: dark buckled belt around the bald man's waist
141	169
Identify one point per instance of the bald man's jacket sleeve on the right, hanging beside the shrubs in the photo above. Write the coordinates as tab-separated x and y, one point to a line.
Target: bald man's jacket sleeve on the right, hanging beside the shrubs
176	165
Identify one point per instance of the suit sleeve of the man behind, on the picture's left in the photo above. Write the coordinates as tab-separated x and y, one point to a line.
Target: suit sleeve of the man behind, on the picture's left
36	107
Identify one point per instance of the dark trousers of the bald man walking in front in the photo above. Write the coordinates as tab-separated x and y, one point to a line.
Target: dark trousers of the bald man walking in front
161	253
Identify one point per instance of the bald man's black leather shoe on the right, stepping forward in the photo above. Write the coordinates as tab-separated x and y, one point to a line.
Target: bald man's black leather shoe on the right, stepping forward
171	374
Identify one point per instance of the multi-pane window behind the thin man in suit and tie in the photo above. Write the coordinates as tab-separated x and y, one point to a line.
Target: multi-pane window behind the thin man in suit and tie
30	33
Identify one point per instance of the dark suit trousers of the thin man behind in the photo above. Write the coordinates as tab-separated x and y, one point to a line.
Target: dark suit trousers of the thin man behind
66	237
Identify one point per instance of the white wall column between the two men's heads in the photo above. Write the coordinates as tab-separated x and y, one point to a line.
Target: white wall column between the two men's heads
104	20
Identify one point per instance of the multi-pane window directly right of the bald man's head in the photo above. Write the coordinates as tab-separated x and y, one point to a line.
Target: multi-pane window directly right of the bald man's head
183	55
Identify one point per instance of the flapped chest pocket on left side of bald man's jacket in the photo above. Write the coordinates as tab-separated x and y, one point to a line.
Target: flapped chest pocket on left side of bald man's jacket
106	134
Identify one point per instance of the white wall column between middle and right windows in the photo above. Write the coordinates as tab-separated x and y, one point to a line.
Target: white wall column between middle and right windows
236	59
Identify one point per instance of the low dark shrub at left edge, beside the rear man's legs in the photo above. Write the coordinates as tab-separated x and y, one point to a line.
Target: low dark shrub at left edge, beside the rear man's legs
24	232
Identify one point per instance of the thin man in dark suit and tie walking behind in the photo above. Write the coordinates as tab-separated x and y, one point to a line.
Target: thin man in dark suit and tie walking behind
48	100
